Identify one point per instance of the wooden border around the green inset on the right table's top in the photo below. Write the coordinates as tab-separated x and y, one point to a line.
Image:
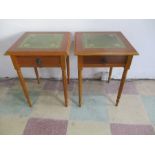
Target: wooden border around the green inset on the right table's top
81	51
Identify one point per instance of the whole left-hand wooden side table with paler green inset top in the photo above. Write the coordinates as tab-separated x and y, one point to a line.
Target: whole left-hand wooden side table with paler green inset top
41	49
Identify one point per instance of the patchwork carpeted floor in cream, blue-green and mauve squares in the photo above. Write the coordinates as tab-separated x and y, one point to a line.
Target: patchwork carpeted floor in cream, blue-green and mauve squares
98	115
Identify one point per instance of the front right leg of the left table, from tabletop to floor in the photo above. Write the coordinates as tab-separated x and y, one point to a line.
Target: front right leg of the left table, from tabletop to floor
63	67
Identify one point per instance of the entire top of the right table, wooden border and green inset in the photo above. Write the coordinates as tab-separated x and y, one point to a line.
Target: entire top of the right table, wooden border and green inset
102	43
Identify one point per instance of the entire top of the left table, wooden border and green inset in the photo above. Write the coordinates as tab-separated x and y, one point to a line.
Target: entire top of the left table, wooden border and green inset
31	43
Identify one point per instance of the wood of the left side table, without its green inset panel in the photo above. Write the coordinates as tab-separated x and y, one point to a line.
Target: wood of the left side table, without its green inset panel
38	57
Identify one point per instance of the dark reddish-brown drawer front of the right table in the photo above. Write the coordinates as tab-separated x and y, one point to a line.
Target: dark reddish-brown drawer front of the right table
105	60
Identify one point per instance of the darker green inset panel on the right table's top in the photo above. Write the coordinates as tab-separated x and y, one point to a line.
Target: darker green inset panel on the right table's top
101	41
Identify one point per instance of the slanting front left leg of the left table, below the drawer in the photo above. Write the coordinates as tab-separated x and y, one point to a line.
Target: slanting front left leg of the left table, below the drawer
24	87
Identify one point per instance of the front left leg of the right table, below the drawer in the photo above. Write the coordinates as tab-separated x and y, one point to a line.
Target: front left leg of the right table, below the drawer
80	86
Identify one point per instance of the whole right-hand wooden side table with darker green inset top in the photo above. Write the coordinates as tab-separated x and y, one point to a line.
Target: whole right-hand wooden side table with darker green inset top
103	49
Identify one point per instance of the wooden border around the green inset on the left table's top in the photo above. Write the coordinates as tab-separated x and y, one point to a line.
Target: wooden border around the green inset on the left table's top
63	50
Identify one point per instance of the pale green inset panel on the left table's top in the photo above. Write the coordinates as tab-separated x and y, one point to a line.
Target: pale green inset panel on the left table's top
42	41
